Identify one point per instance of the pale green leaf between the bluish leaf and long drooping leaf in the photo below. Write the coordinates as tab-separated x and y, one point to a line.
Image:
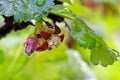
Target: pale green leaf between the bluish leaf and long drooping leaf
62	11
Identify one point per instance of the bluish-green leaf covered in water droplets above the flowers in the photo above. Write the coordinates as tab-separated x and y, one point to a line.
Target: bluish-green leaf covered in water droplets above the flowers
25	10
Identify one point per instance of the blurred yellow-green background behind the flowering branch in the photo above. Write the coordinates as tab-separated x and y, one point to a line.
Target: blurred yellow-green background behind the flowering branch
62	63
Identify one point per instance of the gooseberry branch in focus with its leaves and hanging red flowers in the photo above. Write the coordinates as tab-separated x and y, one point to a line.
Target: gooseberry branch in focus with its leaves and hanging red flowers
18	14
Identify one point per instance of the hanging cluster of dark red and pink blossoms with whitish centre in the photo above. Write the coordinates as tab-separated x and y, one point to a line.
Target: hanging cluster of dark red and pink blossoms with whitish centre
46	39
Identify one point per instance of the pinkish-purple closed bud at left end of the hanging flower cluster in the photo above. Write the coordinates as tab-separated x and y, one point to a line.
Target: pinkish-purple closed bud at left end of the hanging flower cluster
30	45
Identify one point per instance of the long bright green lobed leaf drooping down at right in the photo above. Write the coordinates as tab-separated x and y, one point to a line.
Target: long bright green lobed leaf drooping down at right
87	38
